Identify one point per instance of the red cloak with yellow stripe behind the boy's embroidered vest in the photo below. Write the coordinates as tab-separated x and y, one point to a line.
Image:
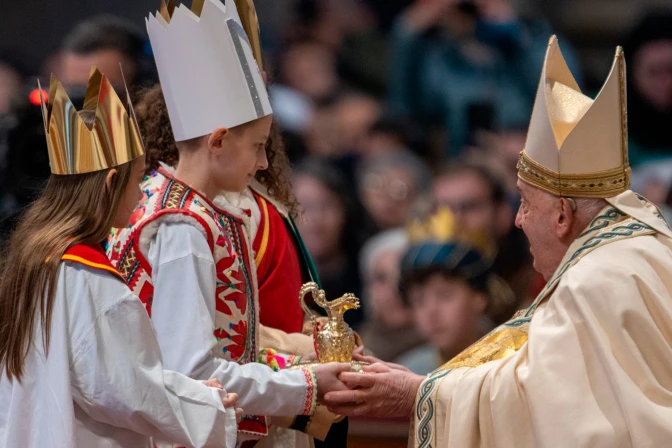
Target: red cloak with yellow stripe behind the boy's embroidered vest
278	271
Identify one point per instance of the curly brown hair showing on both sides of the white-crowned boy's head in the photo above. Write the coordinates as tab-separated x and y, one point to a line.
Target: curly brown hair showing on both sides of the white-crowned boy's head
160	146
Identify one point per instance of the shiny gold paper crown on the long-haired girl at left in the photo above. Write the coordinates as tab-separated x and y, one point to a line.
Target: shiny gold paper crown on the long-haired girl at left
74	147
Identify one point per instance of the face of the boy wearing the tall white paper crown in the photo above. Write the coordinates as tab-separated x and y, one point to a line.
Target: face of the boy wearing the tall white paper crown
242	154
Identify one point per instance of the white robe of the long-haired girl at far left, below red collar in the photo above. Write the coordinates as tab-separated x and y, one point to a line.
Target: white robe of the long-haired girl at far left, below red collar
102	383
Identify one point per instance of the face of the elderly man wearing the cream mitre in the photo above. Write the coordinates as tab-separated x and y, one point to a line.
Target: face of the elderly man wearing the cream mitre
538	217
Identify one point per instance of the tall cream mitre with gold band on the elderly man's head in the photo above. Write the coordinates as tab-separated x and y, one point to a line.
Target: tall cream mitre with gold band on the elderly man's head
576	146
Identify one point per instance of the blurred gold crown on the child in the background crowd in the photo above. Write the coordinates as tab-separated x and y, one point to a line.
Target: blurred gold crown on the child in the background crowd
442	227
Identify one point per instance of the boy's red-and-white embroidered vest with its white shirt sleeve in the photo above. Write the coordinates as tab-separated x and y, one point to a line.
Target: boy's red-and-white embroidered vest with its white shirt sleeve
190	263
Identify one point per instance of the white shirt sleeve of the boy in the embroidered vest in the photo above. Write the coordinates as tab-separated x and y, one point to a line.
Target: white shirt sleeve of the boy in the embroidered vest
183	312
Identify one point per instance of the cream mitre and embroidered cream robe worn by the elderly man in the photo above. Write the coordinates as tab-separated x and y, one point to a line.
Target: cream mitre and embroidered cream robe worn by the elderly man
588	363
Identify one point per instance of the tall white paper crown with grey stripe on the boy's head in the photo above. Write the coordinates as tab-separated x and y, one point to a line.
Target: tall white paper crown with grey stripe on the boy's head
209	76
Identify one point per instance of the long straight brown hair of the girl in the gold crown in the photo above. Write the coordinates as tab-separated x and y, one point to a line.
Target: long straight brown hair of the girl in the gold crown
71	210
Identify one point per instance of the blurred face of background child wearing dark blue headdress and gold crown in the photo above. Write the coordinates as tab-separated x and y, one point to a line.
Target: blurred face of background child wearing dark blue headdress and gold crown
448	312
